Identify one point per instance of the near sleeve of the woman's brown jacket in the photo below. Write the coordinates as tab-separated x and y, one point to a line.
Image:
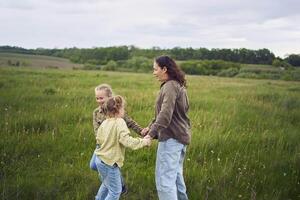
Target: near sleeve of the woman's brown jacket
163	118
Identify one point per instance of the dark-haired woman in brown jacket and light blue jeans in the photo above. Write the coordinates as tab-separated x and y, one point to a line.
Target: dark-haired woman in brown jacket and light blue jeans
172	128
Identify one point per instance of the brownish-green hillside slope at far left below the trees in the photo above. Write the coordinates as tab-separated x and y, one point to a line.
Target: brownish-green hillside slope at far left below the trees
26	60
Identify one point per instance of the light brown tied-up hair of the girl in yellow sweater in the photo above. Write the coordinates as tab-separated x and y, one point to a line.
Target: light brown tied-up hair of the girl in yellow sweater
113	105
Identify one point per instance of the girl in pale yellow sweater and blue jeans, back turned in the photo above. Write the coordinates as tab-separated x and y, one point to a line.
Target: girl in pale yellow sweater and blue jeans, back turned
113	136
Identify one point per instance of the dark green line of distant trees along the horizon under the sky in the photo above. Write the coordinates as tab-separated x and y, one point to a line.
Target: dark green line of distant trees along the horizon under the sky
102	55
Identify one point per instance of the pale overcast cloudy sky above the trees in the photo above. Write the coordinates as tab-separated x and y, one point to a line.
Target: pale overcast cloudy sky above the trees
255	24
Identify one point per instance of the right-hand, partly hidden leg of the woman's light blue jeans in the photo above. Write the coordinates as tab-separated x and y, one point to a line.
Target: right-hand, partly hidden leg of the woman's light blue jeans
181	188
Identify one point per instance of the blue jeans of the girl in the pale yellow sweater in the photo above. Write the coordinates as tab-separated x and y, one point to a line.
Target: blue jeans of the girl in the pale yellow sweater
110	176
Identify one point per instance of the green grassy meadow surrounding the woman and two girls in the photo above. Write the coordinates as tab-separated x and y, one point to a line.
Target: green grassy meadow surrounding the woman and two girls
245	136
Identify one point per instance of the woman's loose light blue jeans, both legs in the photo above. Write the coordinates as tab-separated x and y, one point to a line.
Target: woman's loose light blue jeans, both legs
169	170
